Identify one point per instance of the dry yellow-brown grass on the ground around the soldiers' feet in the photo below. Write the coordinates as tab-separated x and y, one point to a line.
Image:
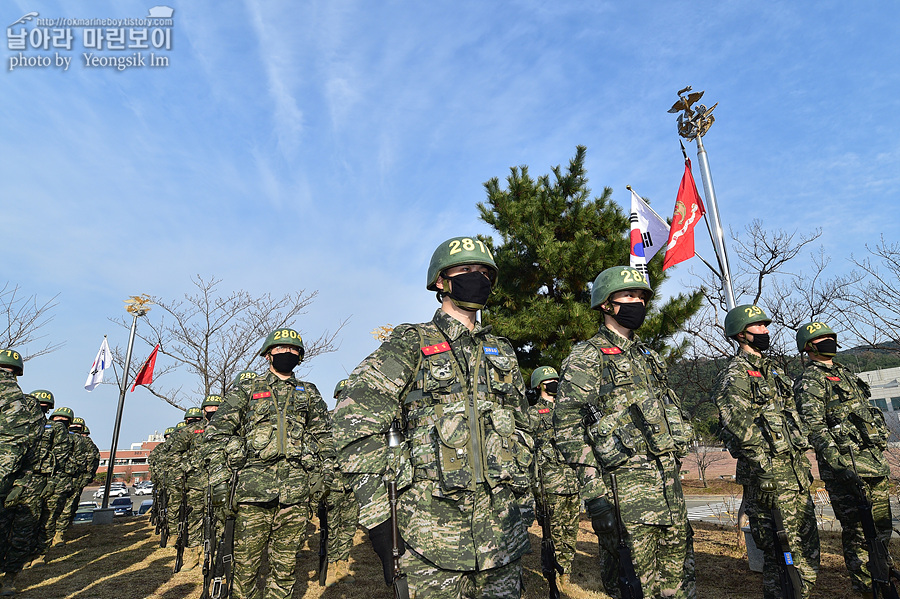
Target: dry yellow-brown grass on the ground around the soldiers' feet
124	561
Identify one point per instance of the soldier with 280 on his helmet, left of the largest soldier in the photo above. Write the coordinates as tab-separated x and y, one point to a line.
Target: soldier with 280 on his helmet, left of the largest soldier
274	432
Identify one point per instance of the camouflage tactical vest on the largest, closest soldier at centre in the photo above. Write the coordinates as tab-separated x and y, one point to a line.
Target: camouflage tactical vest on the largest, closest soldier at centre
460	435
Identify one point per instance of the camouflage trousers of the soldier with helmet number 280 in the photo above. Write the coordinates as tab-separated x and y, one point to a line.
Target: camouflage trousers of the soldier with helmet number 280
278	526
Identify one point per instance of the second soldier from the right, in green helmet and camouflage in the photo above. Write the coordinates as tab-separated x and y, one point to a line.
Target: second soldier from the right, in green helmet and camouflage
760	426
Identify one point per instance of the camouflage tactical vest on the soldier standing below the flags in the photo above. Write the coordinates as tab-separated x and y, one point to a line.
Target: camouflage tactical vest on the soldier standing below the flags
648	419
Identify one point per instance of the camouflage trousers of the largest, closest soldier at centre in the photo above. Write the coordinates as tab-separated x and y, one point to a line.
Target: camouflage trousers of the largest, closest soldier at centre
427	581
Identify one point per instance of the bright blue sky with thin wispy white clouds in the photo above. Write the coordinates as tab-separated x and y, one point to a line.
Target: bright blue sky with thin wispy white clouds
332	145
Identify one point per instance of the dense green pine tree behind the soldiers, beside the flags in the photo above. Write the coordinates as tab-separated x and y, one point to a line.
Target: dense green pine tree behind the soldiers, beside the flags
555	240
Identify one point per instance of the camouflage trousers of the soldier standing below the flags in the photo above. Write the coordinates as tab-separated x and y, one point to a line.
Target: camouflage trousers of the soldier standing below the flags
663	558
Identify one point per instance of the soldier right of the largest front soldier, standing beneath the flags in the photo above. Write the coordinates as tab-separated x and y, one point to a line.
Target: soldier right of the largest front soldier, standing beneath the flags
615	414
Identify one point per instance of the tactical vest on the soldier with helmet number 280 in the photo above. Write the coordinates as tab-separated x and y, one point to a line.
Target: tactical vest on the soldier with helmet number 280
272	432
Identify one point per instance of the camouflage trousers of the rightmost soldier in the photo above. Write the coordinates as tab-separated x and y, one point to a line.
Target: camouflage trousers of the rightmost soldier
845	501
